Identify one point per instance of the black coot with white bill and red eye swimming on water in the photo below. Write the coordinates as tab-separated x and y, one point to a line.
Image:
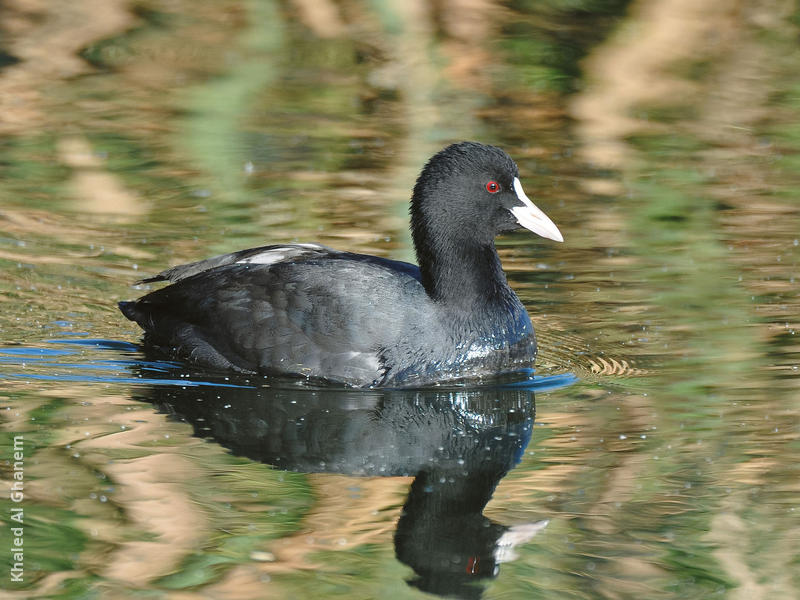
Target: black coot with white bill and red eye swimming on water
308	310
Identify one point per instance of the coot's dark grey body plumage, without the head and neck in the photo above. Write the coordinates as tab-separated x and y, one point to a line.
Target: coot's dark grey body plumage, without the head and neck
308	310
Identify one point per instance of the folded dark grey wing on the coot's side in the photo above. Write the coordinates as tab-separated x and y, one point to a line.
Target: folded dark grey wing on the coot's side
319	313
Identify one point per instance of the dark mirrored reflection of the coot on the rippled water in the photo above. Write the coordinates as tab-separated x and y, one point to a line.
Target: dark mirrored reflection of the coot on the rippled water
457	443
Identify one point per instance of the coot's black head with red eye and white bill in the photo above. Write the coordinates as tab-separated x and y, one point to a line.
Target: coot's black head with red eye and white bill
469	193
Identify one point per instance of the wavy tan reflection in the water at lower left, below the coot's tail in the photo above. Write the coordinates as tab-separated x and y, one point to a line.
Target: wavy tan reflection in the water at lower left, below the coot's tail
149	488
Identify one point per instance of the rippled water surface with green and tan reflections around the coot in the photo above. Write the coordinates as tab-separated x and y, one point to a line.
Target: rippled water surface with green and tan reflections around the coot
653	455
